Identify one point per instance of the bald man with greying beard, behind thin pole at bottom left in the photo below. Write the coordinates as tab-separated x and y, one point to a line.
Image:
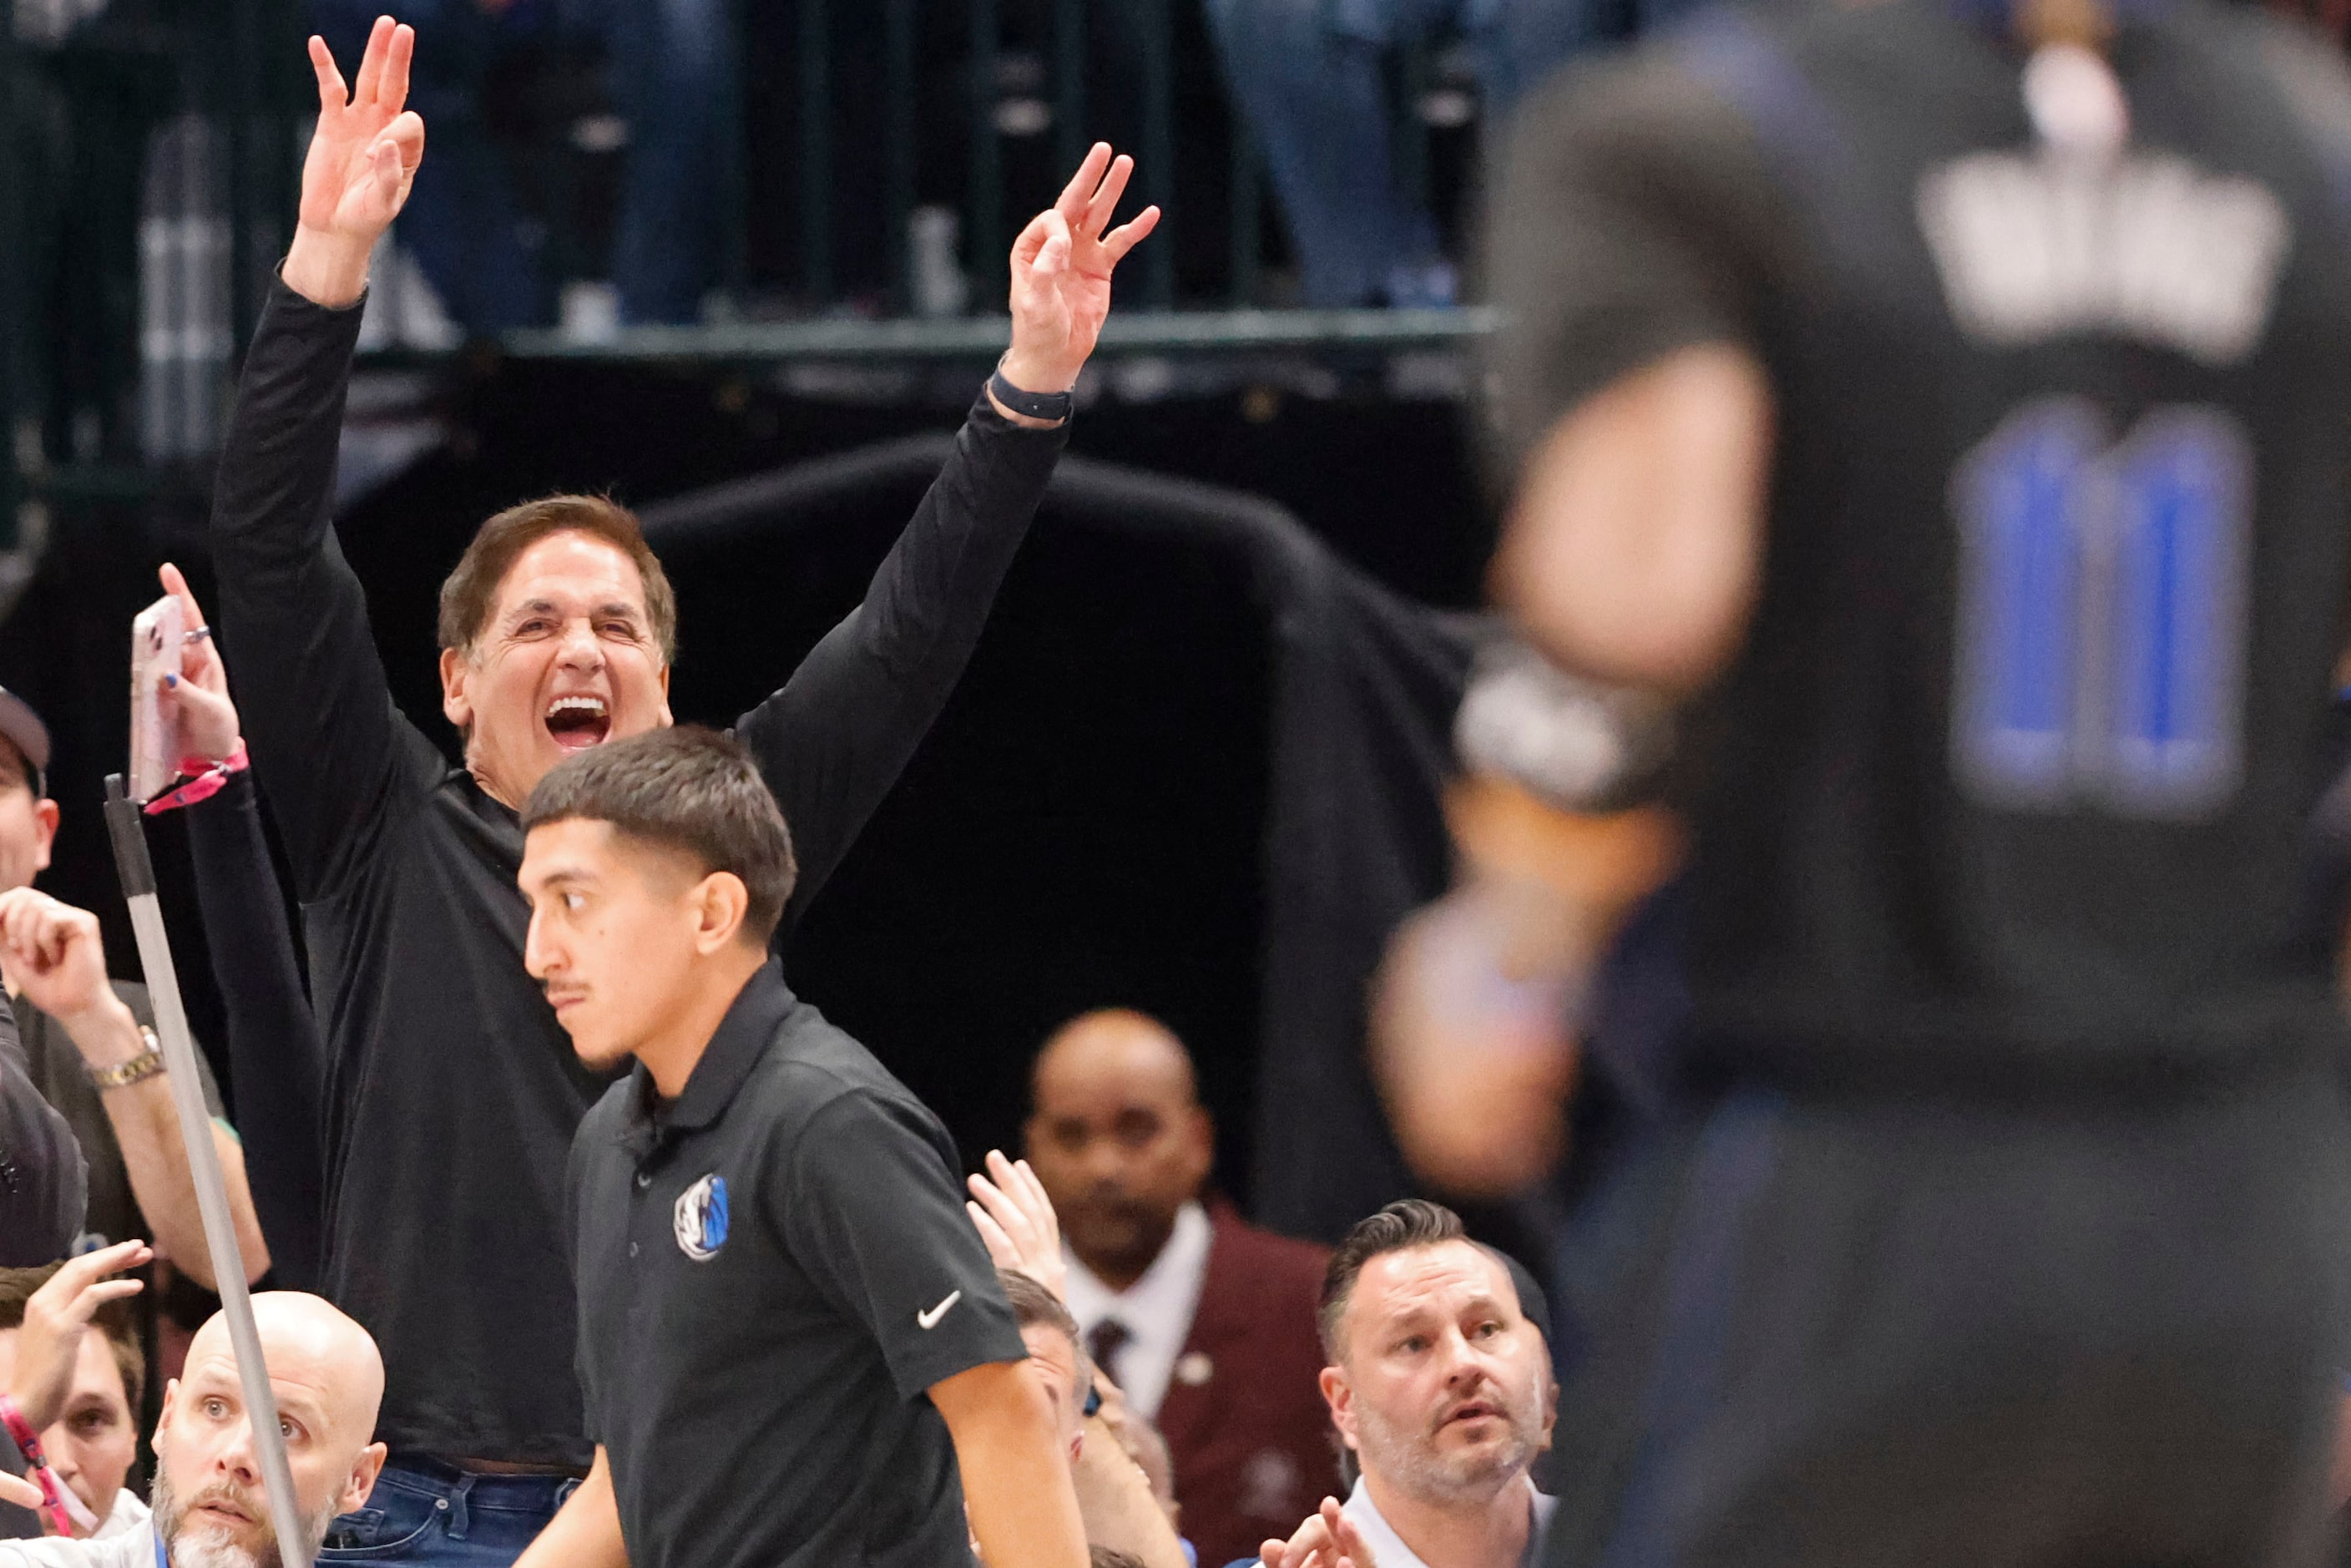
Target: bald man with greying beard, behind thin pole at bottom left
210	1503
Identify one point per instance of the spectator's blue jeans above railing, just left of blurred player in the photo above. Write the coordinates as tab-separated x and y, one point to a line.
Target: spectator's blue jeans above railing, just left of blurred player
1308	79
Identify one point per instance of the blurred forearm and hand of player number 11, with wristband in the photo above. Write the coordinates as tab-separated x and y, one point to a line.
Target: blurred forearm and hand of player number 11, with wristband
1489	996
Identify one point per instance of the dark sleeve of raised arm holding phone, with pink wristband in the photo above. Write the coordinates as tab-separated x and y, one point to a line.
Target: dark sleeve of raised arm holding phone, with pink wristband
274	1047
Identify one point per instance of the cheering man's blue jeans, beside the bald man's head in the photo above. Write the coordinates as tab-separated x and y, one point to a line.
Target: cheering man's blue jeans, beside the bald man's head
431	1513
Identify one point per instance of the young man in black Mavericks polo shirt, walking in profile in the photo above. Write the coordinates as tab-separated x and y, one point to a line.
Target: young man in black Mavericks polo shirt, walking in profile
791	1336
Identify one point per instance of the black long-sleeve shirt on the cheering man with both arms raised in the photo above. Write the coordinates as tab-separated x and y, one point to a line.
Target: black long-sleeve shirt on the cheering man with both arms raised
450	1092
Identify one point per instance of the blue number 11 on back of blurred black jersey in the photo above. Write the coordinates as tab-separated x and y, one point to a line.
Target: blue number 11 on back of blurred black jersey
2103	612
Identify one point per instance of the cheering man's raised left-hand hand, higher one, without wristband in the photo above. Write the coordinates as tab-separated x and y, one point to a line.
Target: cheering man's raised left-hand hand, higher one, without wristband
361	168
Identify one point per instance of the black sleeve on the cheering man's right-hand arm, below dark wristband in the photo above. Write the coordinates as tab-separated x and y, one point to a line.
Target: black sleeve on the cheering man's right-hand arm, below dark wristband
836	739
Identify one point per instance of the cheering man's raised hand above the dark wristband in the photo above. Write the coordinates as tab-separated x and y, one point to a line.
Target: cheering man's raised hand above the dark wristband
1061	274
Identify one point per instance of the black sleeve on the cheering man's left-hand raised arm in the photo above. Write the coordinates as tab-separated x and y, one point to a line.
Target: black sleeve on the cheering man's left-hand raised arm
304	666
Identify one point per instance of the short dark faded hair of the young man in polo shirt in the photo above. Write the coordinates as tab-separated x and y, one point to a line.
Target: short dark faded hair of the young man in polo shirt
683	789
